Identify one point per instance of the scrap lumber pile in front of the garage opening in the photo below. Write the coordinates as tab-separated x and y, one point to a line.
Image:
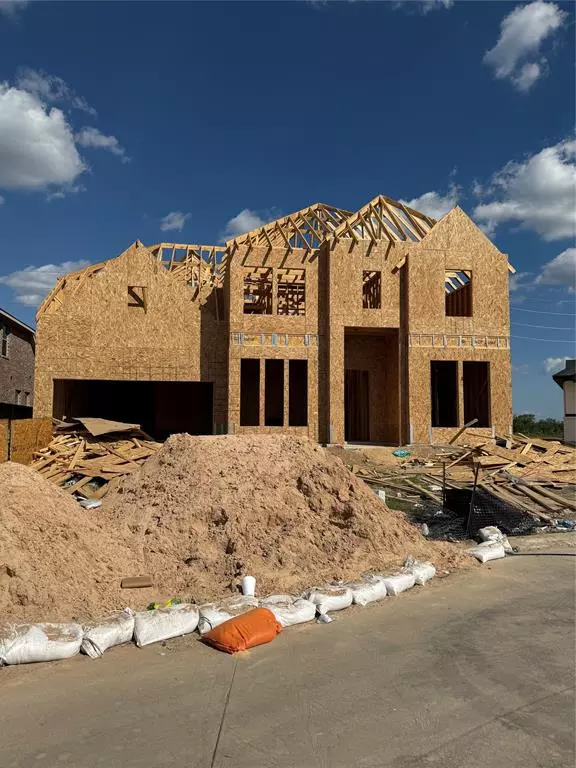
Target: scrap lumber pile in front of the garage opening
90	465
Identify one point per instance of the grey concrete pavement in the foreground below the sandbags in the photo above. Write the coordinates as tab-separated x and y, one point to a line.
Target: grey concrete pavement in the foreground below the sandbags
472	671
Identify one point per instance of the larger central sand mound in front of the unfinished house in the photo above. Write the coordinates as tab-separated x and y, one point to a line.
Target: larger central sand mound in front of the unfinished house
204	511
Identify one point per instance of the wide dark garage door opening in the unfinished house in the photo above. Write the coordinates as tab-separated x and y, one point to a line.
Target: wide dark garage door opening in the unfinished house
160	407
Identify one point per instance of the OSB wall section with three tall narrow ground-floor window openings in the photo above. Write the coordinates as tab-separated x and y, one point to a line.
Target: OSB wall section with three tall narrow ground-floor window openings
257	332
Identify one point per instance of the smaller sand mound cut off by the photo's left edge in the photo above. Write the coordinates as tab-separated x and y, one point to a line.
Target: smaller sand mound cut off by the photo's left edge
56	561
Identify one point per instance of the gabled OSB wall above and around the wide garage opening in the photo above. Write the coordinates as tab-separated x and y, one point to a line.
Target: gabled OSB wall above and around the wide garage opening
94	334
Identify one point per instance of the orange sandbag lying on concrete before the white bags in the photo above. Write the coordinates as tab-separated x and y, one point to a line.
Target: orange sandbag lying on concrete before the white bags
255	627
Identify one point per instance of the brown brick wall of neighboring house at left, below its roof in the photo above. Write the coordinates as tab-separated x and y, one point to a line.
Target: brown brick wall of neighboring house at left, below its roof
17	369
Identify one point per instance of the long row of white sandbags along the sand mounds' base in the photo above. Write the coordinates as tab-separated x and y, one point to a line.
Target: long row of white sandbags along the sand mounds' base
25	643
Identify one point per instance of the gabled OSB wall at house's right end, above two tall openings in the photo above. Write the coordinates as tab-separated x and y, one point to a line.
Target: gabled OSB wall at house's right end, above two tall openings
455	243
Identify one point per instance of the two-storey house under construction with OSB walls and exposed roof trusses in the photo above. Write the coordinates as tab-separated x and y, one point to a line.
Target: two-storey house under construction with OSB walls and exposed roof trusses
381	325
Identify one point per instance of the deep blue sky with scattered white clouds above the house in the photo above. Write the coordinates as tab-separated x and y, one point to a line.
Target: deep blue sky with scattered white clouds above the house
186	121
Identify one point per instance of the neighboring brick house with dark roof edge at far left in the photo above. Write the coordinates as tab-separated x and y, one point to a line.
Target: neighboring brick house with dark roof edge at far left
17	352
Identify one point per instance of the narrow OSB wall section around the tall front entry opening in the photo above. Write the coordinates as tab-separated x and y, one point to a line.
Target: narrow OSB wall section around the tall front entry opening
347	260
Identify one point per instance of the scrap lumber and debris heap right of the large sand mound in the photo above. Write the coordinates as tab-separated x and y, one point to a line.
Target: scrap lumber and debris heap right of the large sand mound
506	481
